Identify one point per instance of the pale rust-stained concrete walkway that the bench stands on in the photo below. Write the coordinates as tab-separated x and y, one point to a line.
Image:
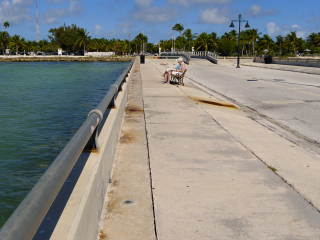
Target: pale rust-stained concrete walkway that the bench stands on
191	165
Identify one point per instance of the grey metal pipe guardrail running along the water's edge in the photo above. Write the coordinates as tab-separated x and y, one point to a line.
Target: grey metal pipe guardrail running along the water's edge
28	216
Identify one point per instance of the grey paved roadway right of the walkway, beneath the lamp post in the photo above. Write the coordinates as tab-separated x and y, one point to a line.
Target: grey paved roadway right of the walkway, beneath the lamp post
290	99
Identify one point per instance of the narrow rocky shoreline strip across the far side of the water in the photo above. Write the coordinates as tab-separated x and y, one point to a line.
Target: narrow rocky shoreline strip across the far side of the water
65	59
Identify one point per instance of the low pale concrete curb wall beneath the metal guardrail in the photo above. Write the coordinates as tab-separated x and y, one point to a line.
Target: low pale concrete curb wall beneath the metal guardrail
81	214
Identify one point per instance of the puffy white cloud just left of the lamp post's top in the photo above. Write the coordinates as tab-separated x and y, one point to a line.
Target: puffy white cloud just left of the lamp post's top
215	16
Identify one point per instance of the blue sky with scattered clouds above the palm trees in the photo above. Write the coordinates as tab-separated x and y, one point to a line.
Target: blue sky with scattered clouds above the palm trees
155	18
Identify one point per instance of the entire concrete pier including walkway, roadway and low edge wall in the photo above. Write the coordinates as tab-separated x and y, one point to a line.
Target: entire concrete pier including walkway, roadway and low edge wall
200	161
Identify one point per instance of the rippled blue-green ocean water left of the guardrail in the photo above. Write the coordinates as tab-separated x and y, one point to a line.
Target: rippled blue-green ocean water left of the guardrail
41	106
